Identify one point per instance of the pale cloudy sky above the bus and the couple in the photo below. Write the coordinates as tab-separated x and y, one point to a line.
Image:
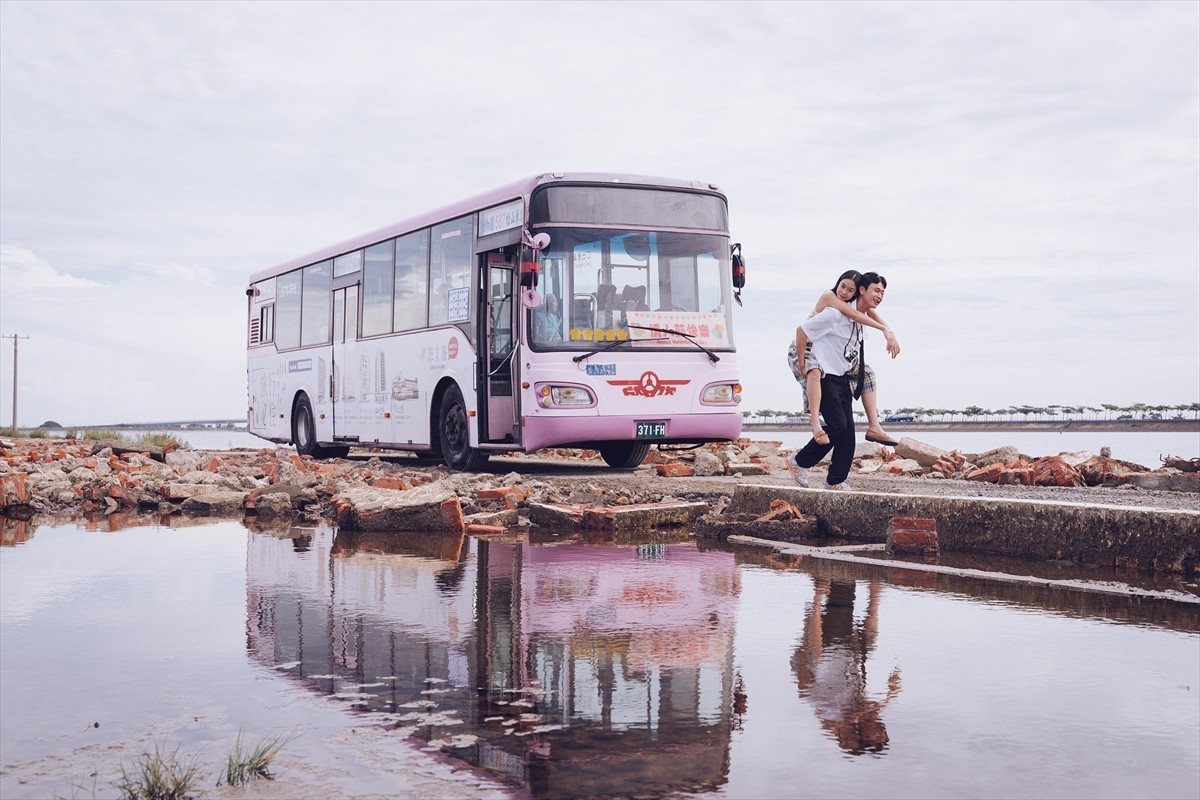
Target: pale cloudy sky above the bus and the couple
1027	176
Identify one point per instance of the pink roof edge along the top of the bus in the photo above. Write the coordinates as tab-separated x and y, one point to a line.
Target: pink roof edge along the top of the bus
484	201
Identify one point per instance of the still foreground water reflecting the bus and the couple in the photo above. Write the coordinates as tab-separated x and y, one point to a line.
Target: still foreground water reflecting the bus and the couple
579	667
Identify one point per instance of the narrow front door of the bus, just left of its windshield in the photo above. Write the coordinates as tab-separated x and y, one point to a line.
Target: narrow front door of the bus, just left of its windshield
497	399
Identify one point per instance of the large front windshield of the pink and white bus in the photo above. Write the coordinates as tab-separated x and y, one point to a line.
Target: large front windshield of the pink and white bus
613	285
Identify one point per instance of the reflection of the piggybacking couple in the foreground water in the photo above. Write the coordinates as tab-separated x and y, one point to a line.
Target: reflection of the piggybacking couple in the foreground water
831	667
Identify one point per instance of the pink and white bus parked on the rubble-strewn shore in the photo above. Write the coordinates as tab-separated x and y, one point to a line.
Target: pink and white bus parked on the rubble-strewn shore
562	311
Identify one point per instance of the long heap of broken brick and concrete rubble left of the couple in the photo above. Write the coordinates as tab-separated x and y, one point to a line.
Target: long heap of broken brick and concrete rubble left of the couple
275	484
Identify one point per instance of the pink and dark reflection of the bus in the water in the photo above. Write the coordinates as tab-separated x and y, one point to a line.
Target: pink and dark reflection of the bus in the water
573	669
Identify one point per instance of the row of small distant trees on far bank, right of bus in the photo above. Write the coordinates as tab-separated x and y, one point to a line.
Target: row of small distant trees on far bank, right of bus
1013	413
